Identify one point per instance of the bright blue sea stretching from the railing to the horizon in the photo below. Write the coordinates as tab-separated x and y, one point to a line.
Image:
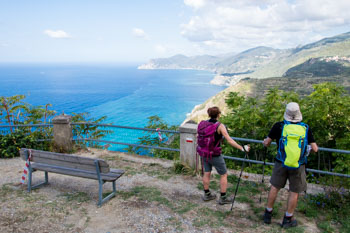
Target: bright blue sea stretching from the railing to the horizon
126	95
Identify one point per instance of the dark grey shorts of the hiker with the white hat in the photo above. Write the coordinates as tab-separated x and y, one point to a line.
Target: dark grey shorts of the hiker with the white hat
297	178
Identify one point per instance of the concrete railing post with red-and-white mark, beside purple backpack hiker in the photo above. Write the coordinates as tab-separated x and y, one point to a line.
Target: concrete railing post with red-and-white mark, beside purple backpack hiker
188	143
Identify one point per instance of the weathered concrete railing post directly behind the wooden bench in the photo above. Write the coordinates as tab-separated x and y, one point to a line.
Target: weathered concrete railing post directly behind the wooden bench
62	133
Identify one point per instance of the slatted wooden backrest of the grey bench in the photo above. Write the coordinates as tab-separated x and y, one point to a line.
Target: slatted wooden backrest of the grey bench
65	160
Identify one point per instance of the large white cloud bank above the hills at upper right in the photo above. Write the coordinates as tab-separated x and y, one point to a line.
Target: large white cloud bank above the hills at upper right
226	25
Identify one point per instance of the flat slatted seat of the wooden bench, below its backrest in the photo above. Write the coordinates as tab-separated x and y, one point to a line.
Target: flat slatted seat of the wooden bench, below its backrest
111	176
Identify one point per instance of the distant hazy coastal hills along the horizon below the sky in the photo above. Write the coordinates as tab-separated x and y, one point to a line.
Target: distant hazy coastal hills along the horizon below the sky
259	62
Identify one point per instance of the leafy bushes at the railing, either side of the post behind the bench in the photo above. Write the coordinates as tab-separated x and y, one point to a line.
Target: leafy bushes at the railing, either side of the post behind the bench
14	111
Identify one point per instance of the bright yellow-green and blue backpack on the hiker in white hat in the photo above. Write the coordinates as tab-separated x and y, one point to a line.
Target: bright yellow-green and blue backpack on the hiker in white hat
293	144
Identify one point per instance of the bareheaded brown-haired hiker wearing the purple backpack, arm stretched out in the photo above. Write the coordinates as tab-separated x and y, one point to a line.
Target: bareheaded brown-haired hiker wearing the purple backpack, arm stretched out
217	160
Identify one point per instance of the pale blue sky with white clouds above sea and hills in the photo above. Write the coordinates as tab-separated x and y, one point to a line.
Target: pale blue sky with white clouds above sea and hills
134	31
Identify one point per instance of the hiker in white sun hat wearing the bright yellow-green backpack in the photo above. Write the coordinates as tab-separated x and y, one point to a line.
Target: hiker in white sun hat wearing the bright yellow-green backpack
282	172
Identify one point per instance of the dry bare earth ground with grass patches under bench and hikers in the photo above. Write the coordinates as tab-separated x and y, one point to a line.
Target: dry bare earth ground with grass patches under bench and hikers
151	198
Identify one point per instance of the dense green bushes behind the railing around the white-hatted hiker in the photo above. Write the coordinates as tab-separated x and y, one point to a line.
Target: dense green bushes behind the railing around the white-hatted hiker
326	110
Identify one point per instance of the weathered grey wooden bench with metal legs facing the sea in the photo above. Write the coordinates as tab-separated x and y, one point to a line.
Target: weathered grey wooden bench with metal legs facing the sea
71	165
